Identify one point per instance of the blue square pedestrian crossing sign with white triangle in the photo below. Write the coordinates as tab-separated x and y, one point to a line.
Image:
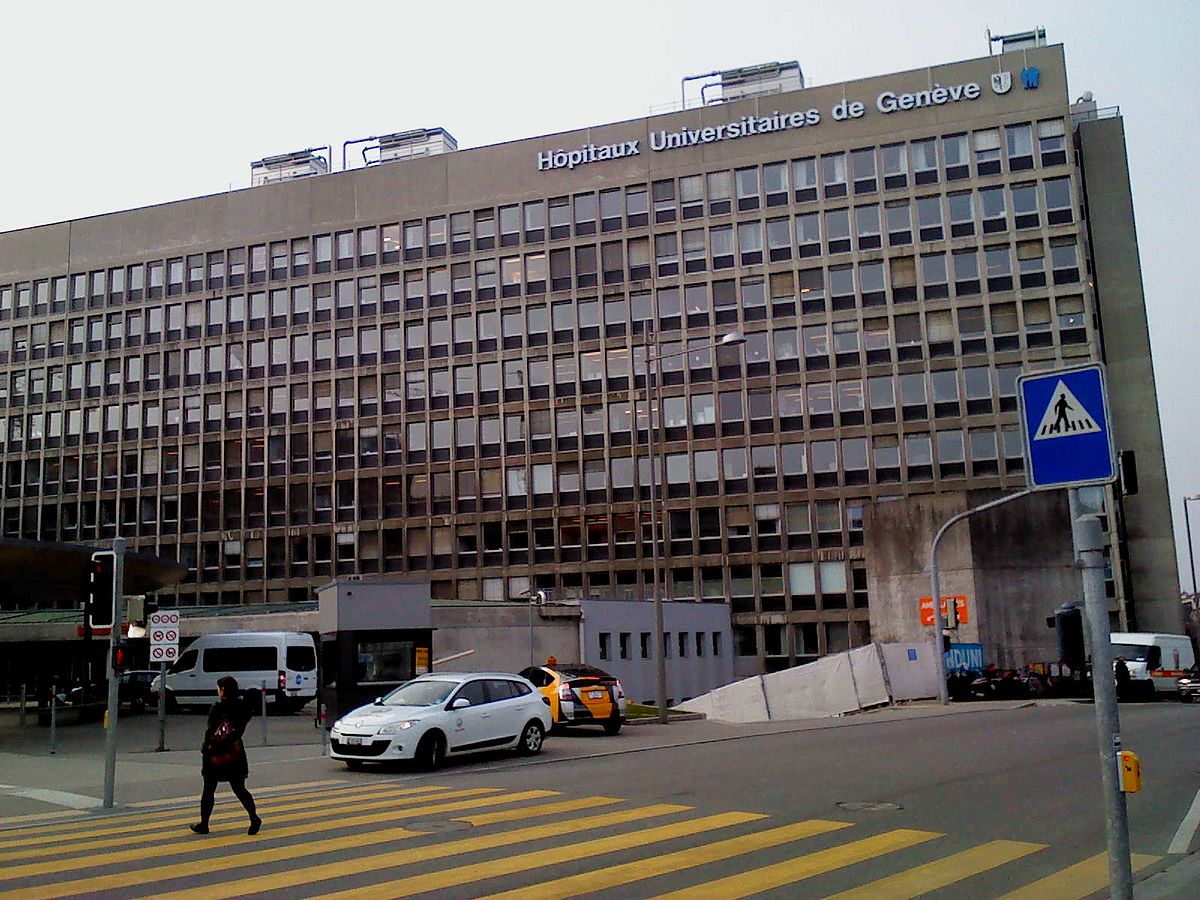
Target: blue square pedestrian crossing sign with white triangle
1067	429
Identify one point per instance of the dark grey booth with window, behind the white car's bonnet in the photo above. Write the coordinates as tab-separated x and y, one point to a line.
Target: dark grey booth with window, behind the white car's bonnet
375	635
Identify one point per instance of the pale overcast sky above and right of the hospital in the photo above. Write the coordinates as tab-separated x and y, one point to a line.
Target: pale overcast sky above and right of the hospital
121	105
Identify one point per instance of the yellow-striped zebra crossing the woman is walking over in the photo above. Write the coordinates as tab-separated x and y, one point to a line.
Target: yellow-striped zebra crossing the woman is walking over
398	839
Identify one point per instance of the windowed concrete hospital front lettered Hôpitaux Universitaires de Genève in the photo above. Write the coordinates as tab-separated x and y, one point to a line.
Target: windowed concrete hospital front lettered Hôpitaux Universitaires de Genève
437	368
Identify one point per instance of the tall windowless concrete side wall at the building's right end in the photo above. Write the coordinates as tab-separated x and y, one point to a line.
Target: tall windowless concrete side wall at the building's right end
1150	542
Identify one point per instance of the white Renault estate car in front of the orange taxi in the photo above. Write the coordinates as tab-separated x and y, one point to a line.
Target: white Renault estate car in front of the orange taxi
446	713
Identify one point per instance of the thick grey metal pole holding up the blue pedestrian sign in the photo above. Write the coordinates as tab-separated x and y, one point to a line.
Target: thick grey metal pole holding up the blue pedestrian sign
1089	539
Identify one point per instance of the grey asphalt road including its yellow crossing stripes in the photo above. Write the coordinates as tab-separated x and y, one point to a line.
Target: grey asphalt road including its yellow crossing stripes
1009	797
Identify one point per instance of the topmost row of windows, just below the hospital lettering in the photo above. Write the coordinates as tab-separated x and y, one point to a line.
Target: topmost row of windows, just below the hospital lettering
832	176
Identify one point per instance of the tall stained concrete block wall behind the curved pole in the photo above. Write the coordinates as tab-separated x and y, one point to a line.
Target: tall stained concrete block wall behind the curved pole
1015	565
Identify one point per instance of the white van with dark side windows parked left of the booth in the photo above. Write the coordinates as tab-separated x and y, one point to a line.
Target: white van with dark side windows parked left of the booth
284	662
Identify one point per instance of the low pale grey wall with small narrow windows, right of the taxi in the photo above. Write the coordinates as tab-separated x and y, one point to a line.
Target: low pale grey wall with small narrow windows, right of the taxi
687	676
